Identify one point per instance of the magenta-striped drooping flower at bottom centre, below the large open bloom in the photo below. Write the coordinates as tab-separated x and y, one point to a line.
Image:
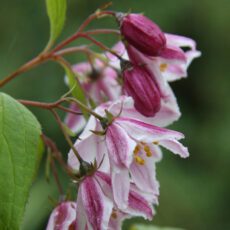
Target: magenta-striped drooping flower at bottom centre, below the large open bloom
95	207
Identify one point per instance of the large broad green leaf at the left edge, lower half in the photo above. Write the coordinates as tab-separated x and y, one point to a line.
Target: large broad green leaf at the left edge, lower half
20	154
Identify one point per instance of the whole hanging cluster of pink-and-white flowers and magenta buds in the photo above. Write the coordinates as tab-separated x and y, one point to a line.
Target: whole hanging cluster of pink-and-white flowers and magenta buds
122	144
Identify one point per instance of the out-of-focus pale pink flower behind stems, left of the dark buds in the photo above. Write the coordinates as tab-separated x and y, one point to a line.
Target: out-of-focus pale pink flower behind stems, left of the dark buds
99	83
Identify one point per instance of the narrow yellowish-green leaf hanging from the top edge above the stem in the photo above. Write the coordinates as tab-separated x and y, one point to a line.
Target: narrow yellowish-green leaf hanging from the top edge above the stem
56	10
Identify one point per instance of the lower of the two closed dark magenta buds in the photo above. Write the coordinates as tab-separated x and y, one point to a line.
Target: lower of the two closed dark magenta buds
140	86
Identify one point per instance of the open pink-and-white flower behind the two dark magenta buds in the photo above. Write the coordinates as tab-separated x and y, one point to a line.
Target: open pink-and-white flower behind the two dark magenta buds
162	70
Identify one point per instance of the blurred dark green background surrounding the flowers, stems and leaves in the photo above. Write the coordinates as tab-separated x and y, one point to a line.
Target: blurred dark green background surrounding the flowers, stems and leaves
194	192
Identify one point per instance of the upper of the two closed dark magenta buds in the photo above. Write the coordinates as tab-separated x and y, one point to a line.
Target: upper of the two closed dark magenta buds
143	34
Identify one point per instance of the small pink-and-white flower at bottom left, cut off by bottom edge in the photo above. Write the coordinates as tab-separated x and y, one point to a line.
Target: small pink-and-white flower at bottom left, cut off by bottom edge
63	217
